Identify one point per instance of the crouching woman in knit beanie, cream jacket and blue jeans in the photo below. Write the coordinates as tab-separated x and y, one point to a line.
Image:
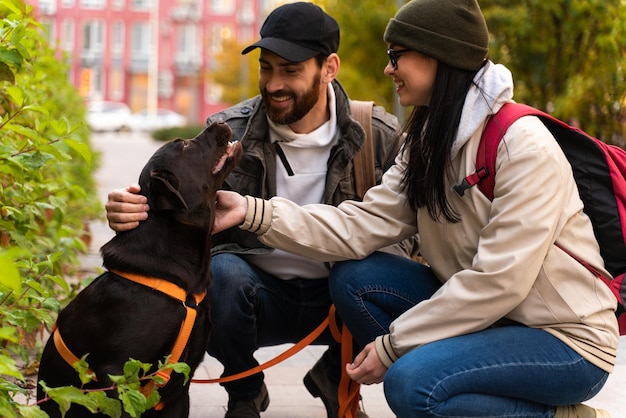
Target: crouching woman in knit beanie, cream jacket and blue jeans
501	322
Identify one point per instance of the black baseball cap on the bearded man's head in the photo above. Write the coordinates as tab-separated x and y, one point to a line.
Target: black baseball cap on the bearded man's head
298	31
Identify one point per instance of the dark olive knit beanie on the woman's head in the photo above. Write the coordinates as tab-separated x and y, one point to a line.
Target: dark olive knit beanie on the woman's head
451	31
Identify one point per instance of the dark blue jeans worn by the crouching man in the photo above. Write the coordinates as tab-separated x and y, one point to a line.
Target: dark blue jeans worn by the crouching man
251	309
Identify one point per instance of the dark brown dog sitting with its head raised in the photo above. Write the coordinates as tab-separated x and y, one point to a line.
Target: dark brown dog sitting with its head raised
116	318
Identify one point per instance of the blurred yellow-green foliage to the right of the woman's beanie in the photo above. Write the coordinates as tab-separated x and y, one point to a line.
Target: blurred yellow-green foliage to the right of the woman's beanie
567	58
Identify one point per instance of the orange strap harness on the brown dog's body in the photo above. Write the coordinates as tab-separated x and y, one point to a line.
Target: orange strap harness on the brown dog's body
171	290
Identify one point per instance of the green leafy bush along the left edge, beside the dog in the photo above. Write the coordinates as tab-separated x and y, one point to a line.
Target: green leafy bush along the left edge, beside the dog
47	196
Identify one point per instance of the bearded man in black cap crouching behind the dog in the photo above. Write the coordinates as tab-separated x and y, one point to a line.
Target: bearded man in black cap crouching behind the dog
299	141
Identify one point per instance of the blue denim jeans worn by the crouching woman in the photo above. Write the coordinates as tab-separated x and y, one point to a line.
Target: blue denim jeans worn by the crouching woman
509	371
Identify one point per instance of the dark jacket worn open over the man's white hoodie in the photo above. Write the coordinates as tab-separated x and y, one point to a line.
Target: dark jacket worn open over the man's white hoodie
256	173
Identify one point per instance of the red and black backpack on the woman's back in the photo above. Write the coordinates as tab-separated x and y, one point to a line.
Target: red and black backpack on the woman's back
599	170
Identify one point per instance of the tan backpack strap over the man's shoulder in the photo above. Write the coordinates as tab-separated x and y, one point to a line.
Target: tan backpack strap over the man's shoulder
364	170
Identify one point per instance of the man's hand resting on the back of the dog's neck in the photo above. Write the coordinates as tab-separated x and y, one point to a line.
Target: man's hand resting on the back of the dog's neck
126	208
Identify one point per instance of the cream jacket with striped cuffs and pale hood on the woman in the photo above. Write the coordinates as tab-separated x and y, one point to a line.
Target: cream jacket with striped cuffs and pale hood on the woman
499	263
